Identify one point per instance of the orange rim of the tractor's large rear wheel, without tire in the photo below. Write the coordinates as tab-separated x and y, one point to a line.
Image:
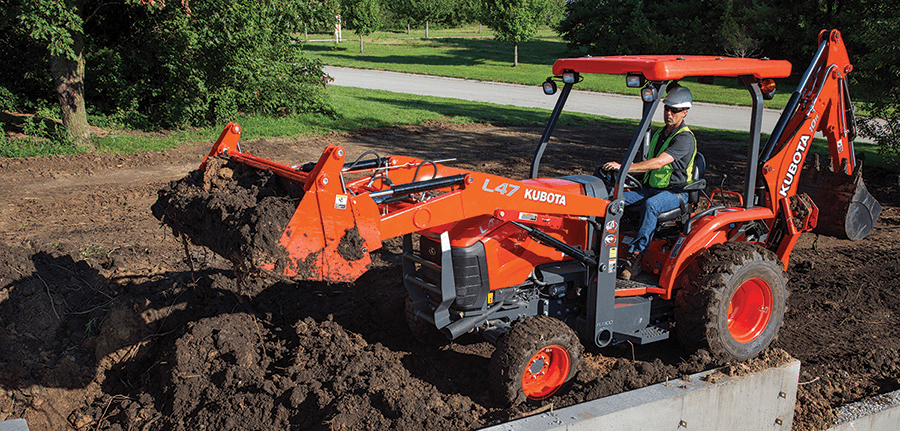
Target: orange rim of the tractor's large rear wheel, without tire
749	310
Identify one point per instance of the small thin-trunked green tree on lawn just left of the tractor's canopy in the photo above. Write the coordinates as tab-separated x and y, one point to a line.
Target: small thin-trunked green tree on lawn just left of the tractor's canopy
517	21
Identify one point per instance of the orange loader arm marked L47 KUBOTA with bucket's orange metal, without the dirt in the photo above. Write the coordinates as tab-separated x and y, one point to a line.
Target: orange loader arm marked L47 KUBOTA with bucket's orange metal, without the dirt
340	220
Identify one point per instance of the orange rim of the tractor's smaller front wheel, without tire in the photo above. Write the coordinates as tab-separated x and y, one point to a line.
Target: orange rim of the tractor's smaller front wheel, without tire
546	372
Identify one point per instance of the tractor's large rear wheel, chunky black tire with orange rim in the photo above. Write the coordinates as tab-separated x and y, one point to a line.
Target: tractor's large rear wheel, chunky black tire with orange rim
732	301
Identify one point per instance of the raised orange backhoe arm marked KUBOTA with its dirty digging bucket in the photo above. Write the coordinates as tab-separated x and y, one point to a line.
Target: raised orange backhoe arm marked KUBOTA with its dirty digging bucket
821	103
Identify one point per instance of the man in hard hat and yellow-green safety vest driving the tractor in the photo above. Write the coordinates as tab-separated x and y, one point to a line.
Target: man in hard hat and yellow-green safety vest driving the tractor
673	149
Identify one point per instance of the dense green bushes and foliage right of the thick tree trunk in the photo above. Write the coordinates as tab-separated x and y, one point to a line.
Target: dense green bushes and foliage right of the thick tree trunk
164	68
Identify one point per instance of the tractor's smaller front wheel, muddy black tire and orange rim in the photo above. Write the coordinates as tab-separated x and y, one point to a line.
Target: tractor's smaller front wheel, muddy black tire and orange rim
534	359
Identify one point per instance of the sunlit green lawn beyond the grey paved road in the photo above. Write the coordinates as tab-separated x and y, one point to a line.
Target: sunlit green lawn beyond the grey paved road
466	53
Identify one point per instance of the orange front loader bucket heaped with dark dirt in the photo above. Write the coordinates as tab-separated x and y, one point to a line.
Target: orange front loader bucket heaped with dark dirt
272	219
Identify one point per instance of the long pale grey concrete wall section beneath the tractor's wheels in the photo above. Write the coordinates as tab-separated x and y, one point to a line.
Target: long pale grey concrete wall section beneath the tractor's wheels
755	402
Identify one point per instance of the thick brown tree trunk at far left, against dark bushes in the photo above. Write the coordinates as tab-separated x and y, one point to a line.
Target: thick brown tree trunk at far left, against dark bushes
68	78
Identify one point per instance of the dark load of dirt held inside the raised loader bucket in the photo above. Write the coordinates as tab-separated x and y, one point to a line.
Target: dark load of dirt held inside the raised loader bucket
237	211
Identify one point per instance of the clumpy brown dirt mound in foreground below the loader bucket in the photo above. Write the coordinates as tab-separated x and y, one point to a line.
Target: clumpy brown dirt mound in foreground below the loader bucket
231	373
